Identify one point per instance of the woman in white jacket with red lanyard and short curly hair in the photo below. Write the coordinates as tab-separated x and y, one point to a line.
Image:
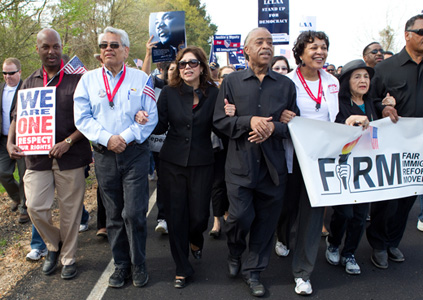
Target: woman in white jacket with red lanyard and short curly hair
317	98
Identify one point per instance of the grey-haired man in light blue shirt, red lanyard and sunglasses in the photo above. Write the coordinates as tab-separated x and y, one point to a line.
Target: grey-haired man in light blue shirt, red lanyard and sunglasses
106	101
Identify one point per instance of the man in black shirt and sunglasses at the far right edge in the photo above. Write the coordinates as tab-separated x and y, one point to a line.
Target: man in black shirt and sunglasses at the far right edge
402	77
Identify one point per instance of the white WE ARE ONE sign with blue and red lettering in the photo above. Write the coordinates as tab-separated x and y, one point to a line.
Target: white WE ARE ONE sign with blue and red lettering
36	114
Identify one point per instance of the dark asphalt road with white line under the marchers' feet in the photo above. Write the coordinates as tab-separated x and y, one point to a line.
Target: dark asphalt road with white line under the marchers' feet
399	281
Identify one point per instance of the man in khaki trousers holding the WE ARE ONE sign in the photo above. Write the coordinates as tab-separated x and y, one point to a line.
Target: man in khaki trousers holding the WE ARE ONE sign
62	170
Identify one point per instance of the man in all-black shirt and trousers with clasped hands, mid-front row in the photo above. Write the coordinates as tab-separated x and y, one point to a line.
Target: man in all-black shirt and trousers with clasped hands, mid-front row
255	166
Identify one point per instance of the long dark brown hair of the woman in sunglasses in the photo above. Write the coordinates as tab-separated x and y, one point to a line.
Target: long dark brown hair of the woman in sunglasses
205	77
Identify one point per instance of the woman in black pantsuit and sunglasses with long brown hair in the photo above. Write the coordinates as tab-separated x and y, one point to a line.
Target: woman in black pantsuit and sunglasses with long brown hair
186	108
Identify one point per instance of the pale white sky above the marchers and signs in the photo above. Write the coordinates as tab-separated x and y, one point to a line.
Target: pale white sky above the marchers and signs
350	25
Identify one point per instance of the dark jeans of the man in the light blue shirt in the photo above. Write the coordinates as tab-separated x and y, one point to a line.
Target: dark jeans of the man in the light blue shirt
124	190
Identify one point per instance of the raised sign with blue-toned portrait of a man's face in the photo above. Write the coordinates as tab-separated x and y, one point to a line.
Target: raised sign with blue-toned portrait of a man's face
168	29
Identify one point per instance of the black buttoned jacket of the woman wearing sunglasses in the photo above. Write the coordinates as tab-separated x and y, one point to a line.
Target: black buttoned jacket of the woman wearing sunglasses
188	141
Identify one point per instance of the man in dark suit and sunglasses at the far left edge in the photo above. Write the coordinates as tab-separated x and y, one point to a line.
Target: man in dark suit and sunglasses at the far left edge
8	94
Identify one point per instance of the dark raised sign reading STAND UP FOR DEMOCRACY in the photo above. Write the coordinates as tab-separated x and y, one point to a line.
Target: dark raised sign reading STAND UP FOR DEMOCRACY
274	16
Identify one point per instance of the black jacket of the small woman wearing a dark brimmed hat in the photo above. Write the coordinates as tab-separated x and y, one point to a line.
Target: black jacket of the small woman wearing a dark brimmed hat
348	108
